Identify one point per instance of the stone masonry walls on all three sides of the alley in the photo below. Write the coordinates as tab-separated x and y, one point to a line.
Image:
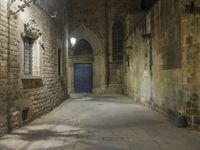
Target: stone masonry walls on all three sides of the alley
160	66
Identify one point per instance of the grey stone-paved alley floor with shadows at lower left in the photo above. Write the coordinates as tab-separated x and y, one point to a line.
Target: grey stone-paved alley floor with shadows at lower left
92	122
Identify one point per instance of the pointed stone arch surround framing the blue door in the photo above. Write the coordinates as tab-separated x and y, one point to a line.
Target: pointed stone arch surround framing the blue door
98	60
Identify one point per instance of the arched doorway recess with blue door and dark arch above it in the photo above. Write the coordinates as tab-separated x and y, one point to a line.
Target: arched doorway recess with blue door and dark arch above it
83	67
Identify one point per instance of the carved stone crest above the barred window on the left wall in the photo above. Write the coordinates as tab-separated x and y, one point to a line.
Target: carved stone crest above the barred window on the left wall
32	27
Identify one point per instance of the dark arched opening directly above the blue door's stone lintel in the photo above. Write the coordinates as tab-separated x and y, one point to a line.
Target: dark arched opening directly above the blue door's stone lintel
83	47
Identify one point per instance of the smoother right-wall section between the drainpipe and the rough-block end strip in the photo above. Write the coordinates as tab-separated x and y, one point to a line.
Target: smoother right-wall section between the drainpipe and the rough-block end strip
166	55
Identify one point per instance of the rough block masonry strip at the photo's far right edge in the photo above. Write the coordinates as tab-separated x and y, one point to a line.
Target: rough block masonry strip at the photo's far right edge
190	64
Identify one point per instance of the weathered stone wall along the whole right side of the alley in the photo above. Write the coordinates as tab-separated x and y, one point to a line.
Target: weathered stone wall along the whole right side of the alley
164	58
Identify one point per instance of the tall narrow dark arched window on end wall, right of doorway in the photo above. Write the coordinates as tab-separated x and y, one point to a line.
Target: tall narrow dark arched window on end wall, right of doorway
118	36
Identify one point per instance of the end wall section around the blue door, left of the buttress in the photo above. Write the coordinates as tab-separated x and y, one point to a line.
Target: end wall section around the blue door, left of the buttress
87	22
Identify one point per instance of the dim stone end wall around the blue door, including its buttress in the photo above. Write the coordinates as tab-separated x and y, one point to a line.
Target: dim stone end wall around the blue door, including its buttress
92	20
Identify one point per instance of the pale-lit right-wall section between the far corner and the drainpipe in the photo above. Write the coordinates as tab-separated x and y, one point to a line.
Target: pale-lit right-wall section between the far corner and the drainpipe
136	65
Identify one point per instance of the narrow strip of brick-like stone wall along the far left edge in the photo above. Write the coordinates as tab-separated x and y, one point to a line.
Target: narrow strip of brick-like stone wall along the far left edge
4	69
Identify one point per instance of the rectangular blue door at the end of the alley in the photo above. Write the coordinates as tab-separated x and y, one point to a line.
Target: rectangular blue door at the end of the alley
83	78
